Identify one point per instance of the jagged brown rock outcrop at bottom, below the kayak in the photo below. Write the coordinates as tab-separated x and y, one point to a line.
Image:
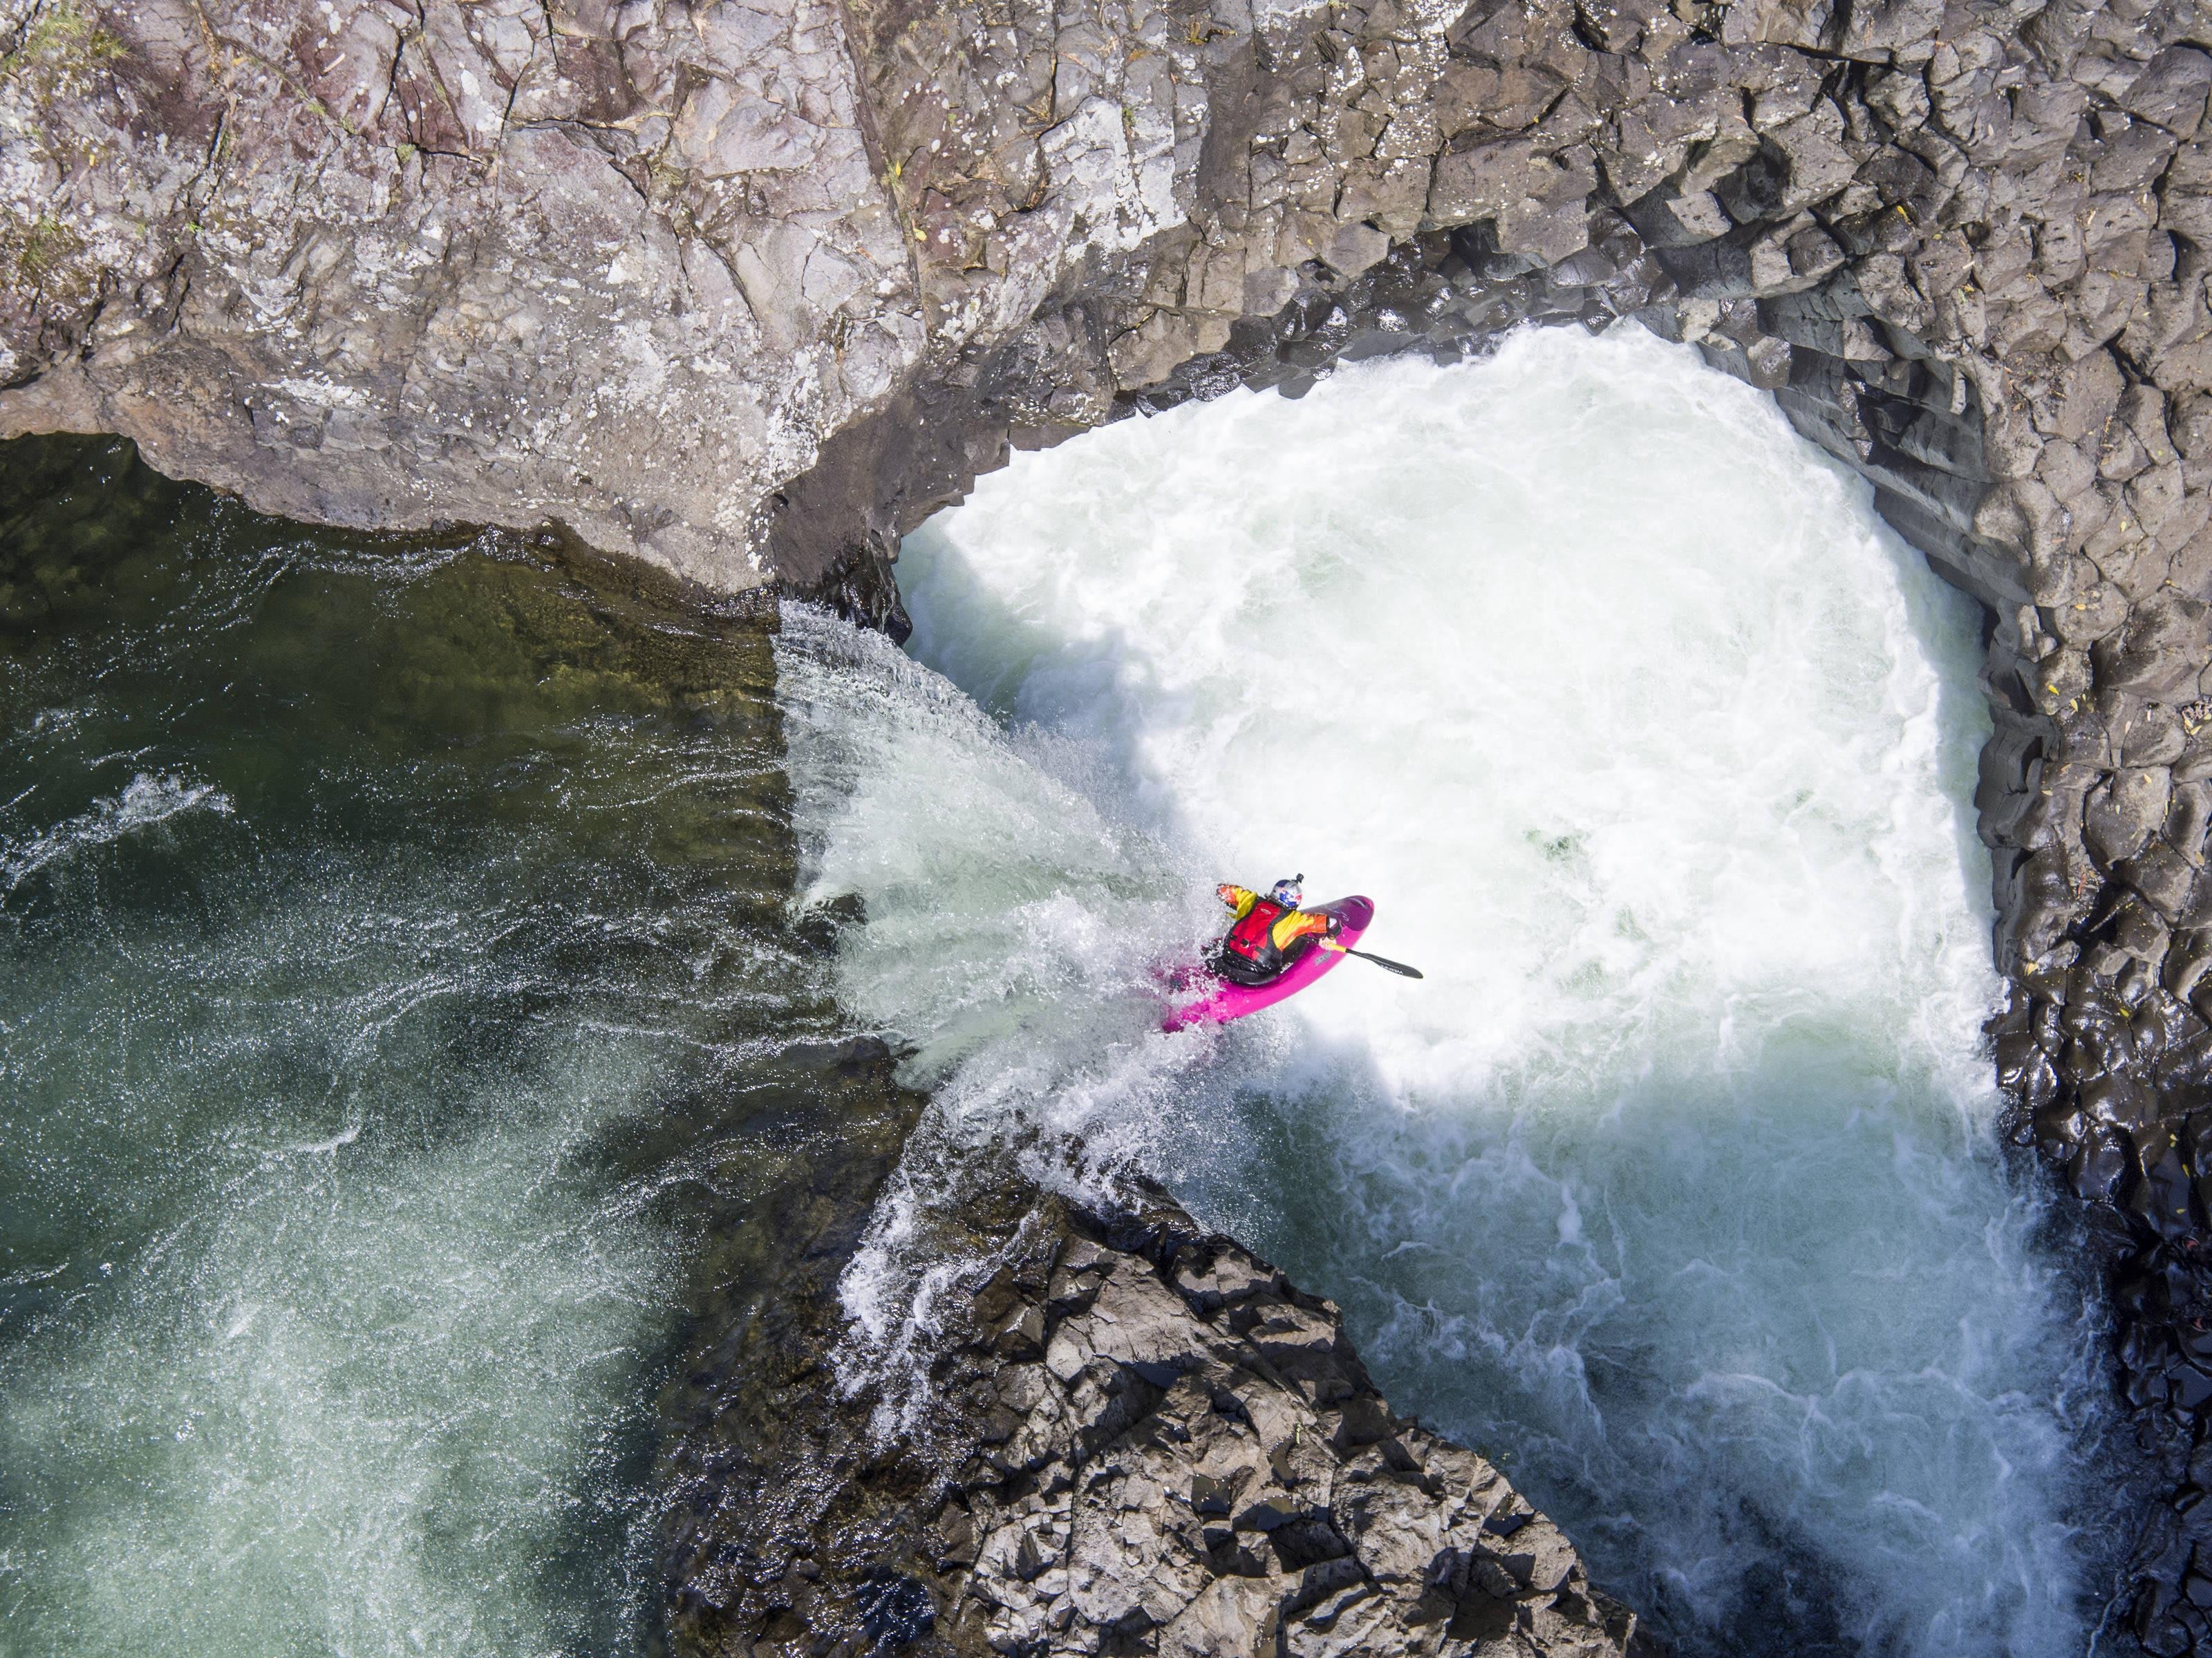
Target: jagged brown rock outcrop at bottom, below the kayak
1140	1440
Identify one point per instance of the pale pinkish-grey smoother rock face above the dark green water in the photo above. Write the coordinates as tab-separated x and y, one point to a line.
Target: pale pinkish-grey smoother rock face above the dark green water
384	264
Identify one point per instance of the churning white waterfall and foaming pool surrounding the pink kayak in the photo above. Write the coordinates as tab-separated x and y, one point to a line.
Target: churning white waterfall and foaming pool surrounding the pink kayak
1673	1186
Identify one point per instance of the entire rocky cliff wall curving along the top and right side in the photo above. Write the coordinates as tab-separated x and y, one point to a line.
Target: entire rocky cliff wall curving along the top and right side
751	288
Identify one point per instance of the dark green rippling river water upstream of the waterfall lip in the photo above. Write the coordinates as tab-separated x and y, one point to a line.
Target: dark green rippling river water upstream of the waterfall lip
395	1009
